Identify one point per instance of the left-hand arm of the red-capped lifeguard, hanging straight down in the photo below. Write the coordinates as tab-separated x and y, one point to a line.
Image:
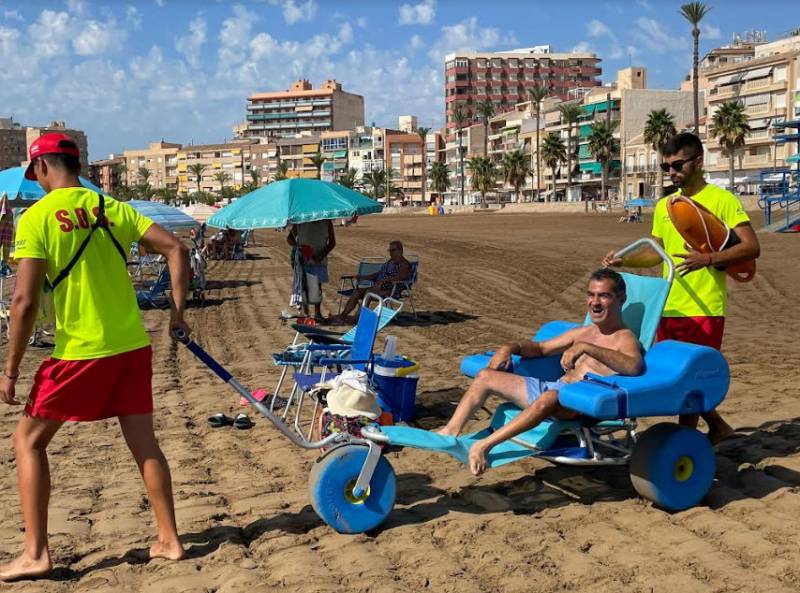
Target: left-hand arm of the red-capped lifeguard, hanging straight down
24	310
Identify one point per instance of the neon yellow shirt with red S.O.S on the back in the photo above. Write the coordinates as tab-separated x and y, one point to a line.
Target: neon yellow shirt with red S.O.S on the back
97	315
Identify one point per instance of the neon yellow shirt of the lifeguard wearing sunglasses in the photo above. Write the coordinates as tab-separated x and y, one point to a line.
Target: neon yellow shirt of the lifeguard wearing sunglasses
703	292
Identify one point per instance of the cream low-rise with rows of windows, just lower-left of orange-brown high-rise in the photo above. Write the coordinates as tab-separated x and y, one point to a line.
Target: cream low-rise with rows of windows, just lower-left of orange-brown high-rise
224	165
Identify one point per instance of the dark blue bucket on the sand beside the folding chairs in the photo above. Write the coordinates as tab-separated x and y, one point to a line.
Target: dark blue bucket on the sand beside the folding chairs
396	384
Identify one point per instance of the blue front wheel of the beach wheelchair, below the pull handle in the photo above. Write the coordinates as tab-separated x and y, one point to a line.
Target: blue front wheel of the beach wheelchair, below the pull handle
331	488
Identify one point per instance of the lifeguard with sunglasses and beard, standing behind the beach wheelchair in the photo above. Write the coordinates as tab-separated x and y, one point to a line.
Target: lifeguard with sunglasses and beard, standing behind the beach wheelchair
696	306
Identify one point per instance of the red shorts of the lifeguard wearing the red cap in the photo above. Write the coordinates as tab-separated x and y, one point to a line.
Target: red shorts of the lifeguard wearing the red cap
84	390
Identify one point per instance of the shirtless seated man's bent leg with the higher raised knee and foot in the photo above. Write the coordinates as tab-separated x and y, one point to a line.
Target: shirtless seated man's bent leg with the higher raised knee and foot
508	386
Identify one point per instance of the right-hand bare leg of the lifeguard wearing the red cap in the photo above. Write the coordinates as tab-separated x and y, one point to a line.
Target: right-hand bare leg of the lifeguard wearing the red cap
141	440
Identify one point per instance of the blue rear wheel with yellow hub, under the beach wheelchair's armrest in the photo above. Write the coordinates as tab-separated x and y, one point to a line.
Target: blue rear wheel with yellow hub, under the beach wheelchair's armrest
673	466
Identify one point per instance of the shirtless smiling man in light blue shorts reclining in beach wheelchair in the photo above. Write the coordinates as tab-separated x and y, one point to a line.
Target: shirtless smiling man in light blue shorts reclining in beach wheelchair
605	347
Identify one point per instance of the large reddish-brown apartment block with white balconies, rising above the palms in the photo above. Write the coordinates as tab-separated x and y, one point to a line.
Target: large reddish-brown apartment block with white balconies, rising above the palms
505	77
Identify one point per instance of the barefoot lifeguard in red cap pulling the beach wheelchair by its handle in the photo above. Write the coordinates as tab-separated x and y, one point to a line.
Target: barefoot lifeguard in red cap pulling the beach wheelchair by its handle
71	242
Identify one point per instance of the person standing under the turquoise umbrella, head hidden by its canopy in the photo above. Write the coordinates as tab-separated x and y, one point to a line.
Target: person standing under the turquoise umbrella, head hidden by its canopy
321	240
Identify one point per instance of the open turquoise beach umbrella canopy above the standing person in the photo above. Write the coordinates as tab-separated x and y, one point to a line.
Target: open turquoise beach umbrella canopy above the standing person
293	201
